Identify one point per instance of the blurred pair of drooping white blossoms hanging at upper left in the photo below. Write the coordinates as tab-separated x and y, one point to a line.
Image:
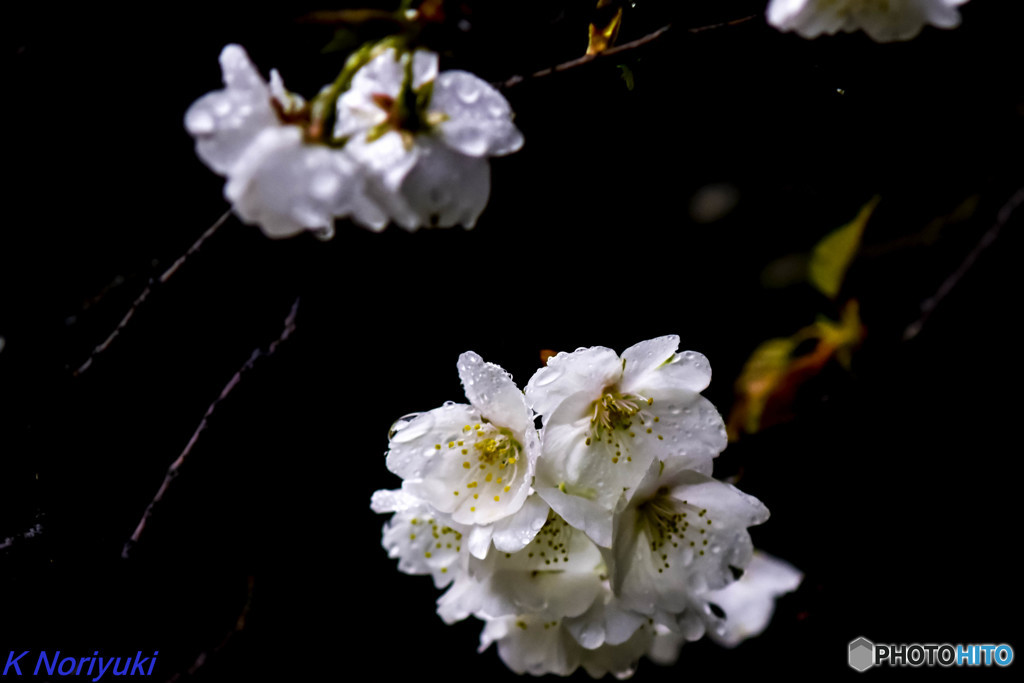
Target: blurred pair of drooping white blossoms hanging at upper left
393	141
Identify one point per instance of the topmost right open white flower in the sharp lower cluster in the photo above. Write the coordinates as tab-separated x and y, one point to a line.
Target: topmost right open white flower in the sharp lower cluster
608	418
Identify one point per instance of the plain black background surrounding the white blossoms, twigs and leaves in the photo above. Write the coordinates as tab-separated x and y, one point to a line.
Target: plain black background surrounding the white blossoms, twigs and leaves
895	491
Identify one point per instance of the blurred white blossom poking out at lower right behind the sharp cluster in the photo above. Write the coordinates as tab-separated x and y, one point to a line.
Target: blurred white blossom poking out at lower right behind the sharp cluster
749	603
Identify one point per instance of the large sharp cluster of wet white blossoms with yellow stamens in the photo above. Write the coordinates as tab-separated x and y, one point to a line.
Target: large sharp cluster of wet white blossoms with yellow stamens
595	539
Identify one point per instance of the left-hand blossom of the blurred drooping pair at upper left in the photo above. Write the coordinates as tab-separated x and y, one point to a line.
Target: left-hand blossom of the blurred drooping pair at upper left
276	180
